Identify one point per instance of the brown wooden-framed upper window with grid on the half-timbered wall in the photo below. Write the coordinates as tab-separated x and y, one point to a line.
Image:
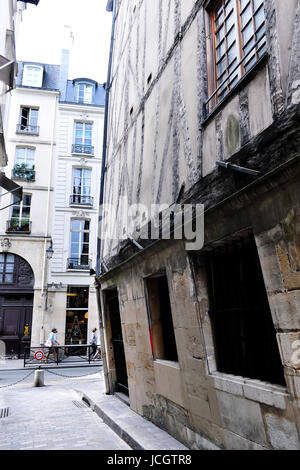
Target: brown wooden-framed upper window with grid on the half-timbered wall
238	34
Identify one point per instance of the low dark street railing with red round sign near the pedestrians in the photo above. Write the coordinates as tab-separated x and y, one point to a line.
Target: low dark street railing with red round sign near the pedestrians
66	354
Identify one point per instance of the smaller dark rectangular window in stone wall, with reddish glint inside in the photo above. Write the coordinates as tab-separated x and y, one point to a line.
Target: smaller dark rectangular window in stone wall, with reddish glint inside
160	319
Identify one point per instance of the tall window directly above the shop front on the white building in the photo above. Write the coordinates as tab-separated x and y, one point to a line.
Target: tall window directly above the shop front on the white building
80	236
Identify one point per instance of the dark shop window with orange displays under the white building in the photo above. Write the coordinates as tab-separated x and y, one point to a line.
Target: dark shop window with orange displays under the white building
77	315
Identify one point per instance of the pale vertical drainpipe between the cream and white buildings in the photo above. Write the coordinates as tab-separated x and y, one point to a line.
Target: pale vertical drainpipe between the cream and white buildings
45	266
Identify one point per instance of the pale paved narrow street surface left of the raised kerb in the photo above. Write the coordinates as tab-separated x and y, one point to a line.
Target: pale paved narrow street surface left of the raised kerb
53	417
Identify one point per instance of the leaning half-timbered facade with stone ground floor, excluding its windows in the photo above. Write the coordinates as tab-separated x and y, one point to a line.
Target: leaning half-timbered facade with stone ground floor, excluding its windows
163	147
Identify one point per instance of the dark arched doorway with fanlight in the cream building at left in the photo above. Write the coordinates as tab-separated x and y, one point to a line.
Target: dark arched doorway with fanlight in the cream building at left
16	303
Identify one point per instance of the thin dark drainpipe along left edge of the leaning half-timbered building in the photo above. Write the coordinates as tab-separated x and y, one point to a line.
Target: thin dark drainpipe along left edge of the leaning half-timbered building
111	6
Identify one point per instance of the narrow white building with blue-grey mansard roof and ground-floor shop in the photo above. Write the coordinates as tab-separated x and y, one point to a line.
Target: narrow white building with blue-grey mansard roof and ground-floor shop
72	305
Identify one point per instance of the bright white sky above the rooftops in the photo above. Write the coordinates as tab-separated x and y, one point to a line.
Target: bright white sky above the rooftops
42	35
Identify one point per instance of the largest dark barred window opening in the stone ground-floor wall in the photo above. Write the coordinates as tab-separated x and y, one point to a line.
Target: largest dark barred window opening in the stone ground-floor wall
244	334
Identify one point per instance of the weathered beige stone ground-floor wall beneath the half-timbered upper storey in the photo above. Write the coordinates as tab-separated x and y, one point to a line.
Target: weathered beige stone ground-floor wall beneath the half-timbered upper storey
192	400
